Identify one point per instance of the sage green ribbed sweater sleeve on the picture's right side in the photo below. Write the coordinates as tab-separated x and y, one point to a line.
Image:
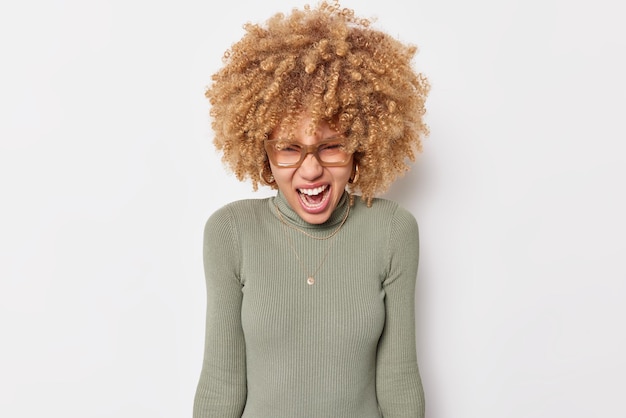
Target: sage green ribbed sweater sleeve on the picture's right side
398	384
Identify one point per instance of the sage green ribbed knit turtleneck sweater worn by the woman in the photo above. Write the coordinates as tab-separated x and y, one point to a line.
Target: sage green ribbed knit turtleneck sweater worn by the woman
277	347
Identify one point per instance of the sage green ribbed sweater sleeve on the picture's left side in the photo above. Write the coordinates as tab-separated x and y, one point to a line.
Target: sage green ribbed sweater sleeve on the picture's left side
221	390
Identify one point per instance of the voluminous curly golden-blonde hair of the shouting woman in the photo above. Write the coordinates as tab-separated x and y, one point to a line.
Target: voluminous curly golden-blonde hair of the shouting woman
338	69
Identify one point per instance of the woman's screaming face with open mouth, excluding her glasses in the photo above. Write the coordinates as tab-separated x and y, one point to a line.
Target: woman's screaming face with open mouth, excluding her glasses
312	191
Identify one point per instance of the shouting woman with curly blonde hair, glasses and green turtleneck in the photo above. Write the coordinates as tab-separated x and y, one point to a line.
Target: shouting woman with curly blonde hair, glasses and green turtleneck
310	294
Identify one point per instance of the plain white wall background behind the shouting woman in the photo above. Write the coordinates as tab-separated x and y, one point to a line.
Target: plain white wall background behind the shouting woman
107	175
